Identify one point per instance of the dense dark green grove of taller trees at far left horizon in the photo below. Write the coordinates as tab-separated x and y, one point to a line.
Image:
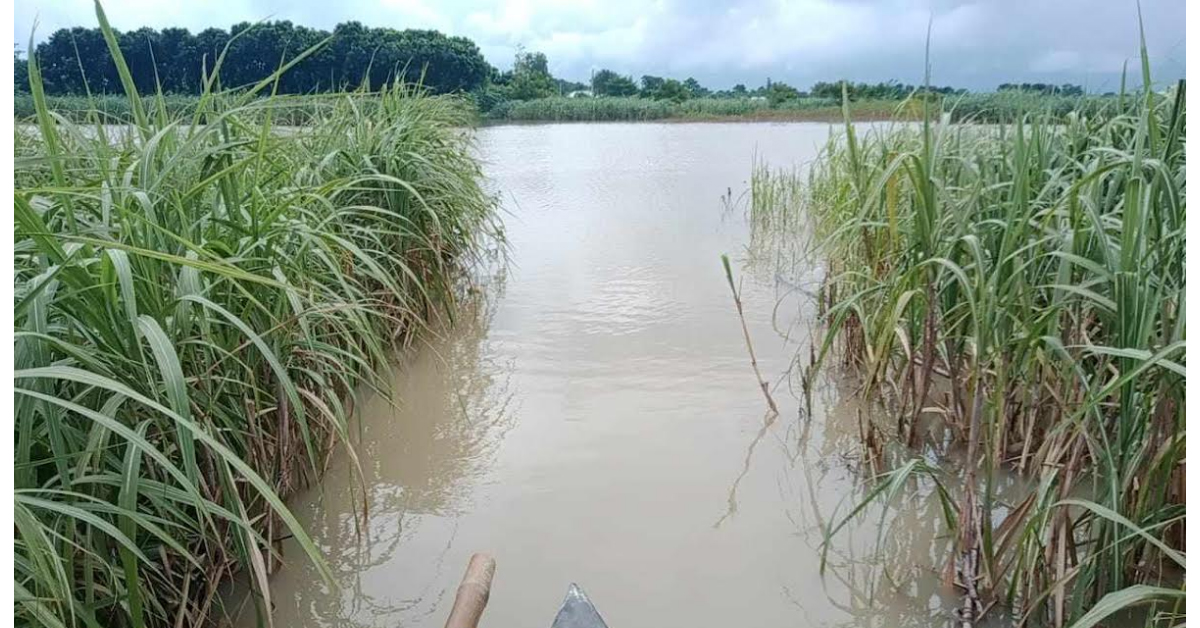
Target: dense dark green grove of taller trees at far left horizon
77	61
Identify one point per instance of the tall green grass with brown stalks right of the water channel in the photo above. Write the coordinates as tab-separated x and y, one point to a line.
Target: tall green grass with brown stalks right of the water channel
1027	283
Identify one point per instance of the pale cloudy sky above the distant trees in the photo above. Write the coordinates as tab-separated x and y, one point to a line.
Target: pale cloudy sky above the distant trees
976	44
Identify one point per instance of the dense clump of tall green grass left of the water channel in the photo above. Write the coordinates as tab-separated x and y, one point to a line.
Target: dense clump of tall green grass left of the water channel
197	301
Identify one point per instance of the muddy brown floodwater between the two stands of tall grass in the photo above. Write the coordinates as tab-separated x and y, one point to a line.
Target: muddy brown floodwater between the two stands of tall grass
596	420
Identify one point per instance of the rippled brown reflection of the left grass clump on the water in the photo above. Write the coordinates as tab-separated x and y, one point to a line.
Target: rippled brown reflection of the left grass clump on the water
418	460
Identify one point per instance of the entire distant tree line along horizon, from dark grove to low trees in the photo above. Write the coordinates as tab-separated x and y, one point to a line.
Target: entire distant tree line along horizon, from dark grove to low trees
77	62
